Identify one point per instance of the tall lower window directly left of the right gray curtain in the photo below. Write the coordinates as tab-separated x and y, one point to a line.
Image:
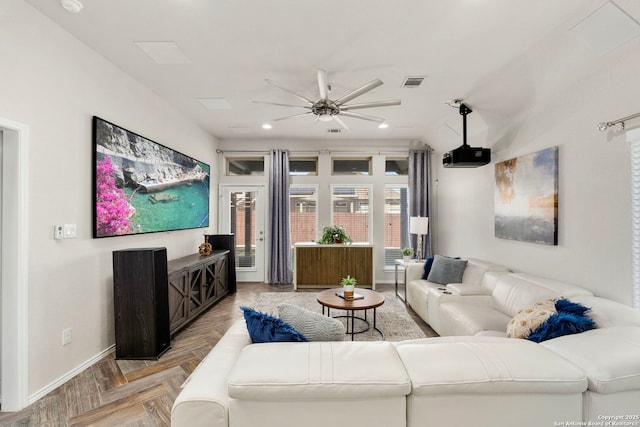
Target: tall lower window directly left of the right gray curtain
396	222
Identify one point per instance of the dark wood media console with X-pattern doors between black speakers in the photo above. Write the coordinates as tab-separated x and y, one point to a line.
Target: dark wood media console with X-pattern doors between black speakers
195	283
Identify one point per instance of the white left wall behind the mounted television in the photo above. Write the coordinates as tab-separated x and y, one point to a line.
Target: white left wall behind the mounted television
54	84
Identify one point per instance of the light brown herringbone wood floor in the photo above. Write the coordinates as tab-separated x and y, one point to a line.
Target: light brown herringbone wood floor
141	393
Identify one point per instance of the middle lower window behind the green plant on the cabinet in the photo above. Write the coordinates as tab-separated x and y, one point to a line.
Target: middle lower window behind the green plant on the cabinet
350	208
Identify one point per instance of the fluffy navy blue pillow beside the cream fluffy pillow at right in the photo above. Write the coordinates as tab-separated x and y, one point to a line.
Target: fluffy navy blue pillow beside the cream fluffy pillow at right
570	318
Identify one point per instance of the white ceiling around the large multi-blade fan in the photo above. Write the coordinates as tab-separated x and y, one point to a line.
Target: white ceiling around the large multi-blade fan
497	55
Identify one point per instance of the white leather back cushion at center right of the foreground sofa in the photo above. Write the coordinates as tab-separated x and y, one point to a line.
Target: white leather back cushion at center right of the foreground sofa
483	365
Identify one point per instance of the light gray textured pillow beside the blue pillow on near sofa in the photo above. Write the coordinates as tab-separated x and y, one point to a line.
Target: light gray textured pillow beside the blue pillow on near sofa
314	326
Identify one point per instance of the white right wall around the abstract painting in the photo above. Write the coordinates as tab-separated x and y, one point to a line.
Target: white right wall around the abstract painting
594	248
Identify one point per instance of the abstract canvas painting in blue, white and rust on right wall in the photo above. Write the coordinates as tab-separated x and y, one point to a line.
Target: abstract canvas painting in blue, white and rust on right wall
526	198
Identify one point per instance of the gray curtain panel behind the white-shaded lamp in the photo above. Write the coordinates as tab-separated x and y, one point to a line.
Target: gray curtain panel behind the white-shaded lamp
420	194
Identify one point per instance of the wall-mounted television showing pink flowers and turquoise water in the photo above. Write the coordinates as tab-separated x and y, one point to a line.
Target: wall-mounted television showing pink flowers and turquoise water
140	186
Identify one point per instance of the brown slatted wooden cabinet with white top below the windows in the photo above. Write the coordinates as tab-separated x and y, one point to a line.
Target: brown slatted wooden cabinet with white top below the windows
323	266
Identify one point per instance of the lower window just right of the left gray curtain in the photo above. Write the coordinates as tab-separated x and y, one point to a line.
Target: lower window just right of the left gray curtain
303	213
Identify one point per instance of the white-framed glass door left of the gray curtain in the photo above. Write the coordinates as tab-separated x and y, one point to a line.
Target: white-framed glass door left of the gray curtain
242	213
